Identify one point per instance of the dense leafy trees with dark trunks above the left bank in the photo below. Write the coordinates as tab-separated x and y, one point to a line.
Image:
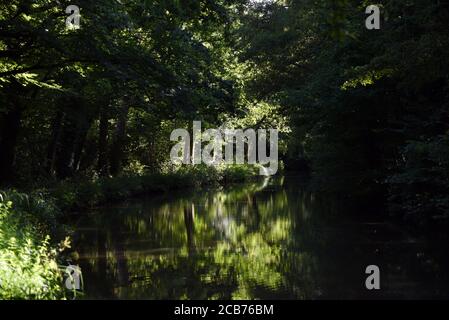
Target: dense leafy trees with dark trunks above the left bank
106	96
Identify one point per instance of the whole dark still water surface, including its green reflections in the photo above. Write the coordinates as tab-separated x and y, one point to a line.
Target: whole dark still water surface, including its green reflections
265	240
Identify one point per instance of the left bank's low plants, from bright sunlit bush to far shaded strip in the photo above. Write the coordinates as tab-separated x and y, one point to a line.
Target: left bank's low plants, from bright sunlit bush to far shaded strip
30	227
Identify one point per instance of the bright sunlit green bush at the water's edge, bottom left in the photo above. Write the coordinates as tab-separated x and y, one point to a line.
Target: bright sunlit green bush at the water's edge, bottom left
28	268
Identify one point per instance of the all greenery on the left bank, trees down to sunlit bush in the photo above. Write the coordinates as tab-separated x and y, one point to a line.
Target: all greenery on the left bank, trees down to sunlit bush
86	115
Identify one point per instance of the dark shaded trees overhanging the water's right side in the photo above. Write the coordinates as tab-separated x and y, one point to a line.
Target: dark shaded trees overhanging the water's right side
368	108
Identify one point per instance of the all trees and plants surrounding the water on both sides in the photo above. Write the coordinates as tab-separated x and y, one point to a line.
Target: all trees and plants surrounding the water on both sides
86	115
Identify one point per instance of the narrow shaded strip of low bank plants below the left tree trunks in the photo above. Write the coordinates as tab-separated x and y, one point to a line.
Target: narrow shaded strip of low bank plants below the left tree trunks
75	195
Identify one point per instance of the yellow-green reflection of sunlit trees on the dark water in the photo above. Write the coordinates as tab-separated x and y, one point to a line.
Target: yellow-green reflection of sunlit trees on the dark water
239	244
